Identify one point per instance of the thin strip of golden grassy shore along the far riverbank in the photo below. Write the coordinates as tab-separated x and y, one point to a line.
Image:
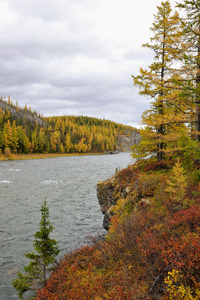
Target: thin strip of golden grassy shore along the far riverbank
41	155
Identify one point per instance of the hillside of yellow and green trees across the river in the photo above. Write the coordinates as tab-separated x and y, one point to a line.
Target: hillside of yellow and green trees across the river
23	131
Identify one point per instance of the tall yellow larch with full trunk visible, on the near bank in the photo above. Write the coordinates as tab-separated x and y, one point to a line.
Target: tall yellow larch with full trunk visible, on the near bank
158	83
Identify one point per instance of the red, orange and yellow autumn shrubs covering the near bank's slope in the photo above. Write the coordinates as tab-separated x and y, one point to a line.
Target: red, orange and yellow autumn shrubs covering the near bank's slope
152	249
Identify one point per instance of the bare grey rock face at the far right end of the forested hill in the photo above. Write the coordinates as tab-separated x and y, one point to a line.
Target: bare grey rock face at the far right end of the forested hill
126	141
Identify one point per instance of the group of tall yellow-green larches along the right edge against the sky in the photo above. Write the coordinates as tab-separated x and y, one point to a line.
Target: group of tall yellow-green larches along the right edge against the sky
171	82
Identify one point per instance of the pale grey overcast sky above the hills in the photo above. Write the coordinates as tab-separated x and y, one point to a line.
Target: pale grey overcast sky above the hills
76	57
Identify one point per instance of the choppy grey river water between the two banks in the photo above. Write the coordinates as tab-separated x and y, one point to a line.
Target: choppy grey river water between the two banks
69	186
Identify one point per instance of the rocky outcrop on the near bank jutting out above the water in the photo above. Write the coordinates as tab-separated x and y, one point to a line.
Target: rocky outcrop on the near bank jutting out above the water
129	189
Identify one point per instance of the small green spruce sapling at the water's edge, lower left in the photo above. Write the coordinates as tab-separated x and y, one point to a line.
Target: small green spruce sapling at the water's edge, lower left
40	262
